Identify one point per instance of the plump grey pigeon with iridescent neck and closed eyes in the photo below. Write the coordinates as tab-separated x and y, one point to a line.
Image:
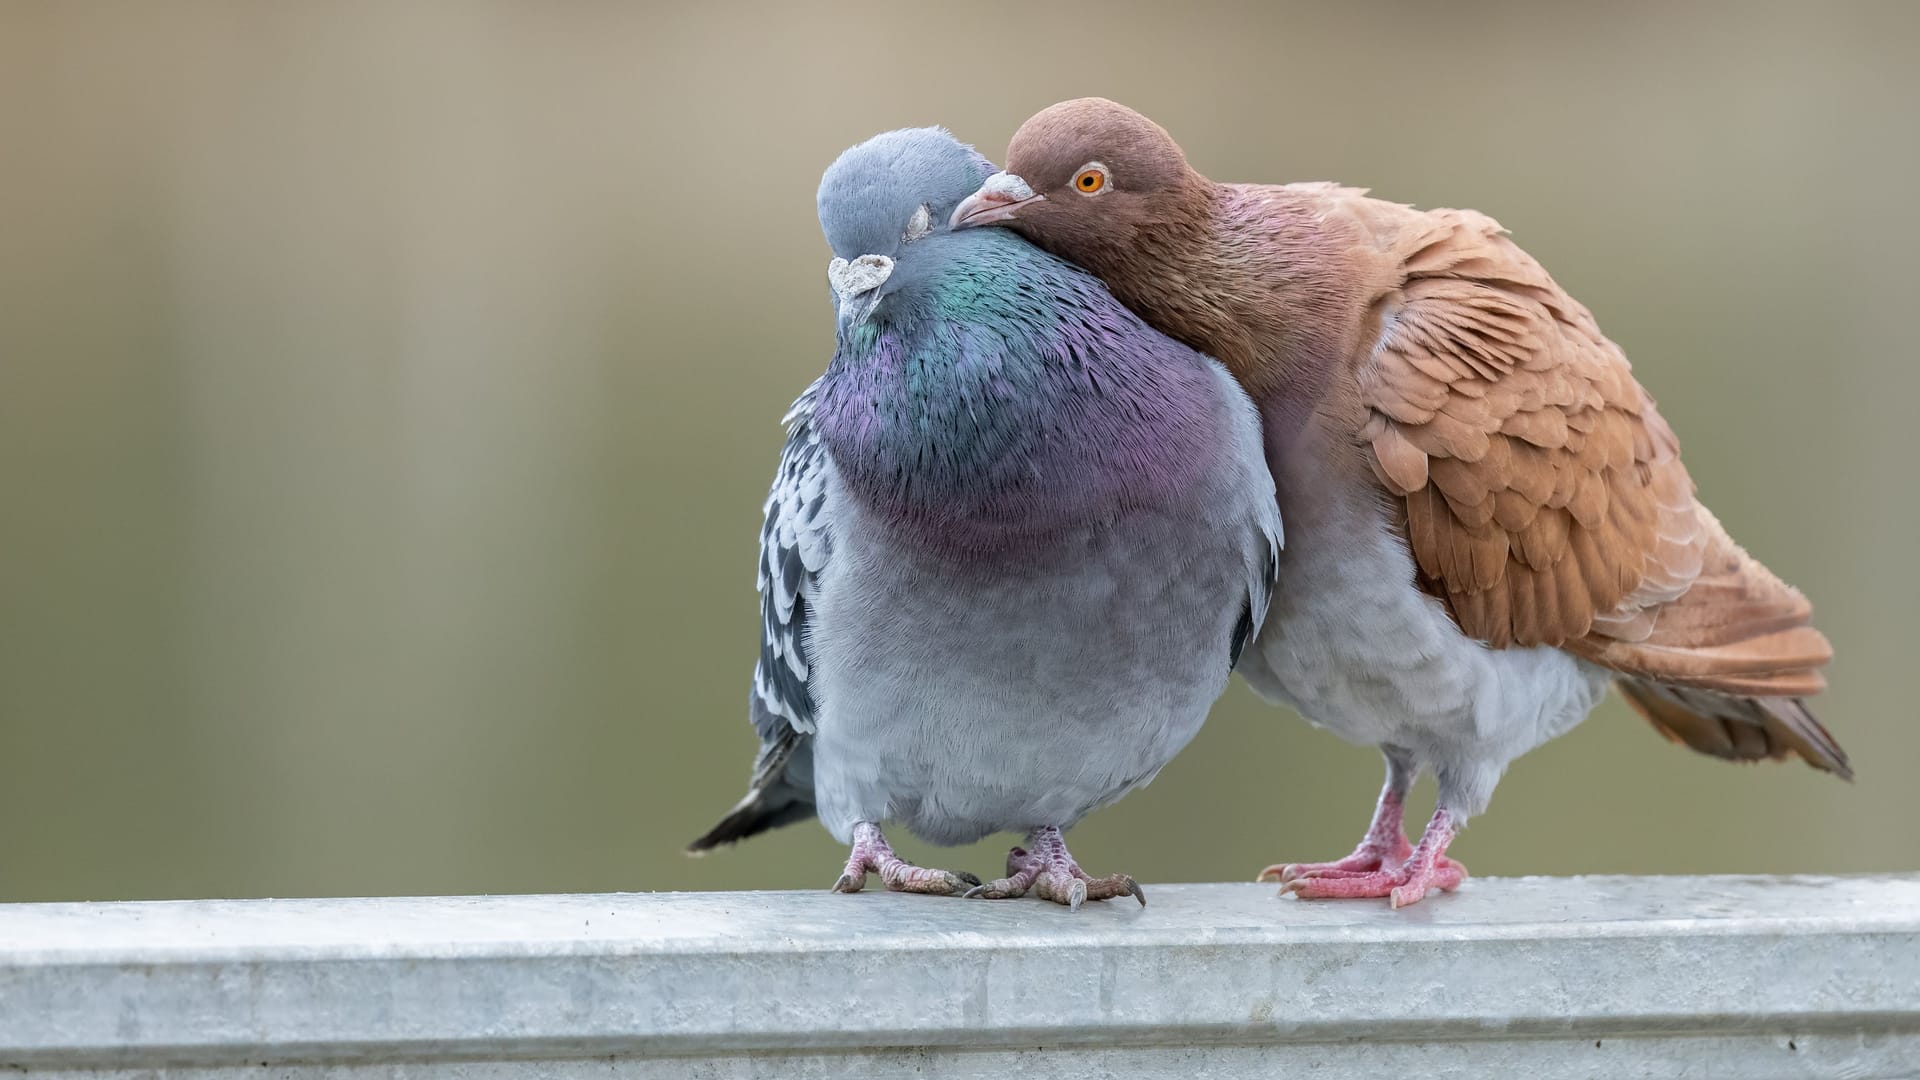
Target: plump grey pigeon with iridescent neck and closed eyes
1013	552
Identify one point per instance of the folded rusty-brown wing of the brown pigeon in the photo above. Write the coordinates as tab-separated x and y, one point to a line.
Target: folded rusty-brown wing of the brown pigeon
1545	497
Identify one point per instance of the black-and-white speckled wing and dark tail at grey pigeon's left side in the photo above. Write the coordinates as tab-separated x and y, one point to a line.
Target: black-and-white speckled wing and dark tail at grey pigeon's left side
796	543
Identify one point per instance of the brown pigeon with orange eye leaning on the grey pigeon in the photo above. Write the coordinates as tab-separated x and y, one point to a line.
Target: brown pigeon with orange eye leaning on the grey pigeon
1487	518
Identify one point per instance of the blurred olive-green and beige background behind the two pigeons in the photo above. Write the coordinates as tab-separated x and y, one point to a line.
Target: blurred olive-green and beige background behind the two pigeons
389	395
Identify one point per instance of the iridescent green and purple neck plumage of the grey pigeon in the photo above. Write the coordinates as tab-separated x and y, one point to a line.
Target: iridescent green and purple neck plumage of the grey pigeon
1001	416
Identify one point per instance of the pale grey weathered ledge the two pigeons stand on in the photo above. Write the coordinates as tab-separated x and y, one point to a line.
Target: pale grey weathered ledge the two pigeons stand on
1527	977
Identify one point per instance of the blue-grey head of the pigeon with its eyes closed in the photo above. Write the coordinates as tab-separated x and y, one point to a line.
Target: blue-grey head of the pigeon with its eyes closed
886	207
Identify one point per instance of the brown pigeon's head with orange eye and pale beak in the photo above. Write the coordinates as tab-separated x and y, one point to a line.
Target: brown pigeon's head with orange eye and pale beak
1082	180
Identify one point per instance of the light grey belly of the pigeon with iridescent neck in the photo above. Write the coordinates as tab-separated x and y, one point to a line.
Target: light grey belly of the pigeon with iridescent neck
965	700
